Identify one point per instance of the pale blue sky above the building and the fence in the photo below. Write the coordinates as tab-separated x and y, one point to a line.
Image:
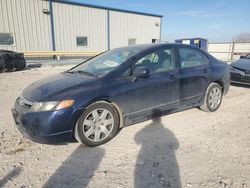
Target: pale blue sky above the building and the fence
216	20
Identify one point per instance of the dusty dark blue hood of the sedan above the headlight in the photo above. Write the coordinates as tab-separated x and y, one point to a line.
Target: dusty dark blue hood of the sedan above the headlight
57	87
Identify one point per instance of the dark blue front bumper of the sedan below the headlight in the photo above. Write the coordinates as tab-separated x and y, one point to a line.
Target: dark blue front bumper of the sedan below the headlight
44	127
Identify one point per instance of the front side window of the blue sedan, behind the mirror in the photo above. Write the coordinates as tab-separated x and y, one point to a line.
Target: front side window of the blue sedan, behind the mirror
159	61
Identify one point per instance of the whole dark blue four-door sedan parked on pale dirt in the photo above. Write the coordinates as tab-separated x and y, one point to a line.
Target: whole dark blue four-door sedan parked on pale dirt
124	86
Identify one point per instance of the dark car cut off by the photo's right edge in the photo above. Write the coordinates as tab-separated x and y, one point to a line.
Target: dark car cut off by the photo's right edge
240	71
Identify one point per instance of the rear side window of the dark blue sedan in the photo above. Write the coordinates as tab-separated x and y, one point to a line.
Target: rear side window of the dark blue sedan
191	57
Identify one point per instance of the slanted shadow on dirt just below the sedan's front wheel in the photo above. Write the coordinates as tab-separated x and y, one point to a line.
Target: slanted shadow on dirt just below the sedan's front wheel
78	169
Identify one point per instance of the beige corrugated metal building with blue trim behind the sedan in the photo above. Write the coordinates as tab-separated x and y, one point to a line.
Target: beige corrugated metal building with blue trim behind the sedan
97	28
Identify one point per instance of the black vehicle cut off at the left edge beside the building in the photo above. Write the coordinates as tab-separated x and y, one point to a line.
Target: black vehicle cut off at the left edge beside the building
10	60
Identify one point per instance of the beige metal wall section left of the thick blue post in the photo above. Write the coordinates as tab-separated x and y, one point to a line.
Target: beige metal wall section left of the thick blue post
30	26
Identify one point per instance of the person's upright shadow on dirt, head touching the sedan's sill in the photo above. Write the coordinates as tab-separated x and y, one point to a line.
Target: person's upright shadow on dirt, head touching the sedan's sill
156	163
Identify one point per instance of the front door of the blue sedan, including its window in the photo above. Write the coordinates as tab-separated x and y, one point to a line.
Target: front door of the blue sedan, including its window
142	97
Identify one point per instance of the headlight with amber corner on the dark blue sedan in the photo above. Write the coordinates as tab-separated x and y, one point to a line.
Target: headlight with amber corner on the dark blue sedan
52	105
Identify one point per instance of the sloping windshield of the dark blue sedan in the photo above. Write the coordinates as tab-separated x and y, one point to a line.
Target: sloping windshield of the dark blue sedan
106	62
